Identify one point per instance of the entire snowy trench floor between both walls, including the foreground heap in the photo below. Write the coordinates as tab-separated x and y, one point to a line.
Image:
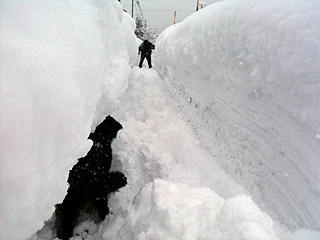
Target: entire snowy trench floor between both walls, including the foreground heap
175	190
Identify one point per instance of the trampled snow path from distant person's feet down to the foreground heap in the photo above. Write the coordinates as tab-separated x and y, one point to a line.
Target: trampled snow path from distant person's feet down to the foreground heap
152	123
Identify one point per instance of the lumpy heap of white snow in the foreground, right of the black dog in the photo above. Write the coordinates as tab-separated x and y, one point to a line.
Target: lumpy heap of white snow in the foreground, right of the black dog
167	210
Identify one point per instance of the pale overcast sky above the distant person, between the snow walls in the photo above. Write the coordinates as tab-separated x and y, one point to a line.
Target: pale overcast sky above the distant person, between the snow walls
160	13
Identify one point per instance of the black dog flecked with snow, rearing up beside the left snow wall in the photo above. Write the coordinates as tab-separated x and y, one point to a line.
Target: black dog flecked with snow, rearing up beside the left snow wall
91	180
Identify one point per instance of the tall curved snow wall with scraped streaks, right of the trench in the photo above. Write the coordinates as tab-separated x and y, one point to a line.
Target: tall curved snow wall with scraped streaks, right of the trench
247	76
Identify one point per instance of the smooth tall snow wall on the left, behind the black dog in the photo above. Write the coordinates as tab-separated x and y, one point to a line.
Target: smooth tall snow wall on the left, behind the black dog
63	65
